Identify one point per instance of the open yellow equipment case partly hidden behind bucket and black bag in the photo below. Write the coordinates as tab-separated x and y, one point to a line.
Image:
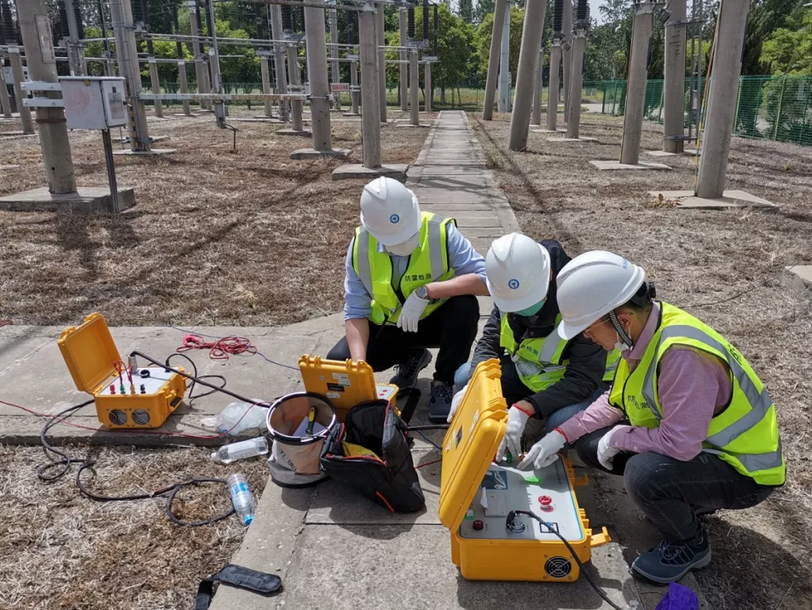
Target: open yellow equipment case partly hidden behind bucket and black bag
346	384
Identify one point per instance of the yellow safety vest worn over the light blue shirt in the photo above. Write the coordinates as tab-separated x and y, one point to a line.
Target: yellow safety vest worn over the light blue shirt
429	263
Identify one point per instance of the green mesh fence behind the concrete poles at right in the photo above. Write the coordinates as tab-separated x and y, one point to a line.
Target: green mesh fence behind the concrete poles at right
775	108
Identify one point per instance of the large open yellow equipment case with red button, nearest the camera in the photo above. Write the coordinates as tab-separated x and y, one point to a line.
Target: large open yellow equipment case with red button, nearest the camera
477	495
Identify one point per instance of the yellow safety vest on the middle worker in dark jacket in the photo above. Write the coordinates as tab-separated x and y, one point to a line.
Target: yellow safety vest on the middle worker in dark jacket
546	352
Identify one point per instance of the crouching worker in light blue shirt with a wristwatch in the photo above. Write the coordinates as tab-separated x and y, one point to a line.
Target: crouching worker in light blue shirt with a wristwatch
410	283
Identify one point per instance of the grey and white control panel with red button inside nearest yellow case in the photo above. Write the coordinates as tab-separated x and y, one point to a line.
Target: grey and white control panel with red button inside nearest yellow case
545	492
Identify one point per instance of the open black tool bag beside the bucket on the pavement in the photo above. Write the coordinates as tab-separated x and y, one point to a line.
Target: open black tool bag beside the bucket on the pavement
390	481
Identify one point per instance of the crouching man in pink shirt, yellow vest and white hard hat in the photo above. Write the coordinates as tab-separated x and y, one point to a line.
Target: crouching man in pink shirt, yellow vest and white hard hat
687	423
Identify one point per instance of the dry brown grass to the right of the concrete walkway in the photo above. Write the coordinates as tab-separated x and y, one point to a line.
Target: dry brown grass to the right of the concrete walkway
699	258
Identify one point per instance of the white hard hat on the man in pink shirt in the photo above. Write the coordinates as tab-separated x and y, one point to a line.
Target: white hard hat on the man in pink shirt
593	284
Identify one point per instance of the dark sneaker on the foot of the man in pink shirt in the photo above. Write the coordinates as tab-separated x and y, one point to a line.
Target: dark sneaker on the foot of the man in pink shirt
669	562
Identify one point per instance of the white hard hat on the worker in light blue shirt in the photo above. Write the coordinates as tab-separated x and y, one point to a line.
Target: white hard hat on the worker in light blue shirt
389	211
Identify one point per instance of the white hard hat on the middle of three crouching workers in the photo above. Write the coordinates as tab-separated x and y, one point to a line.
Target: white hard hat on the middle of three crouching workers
518	272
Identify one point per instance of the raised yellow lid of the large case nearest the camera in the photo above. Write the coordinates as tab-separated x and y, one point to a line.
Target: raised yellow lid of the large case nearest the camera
471	442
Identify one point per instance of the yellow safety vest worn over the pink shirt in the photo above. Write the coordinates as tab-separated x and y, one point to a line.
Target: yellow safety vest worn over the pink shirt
745	434
